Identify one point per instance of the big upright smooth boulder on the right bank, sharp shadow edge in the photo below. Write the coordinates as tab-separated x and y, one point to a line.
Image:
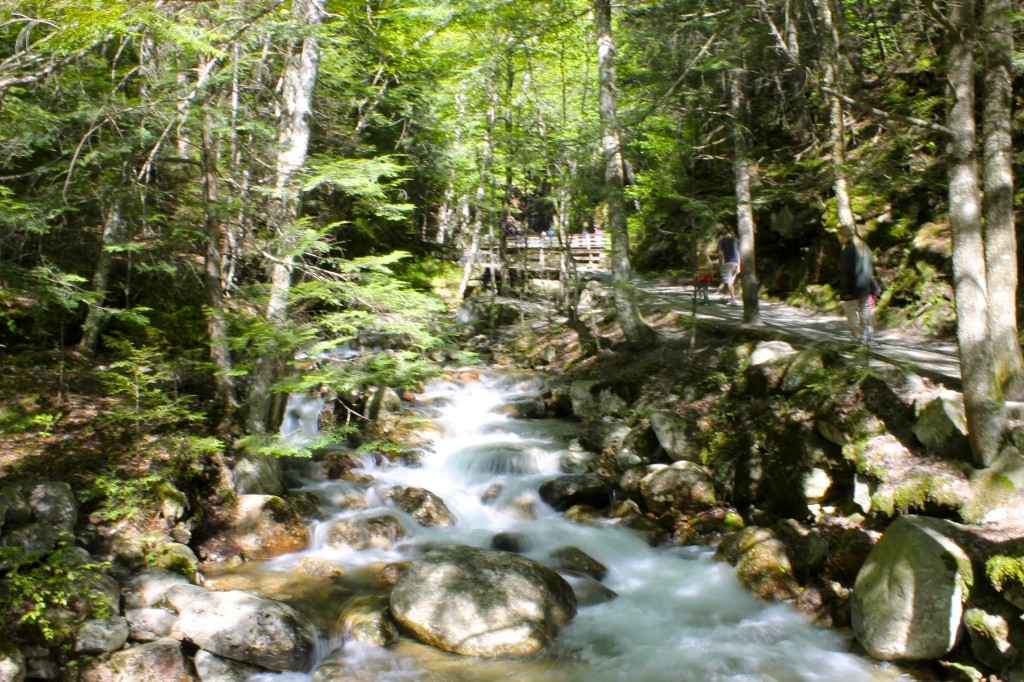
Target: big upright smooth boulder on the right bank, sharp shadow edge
910	595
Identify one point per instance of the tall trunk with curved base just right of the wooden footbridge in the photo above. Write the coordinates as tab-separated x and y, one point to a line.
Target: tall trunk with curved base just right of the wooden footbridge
636	330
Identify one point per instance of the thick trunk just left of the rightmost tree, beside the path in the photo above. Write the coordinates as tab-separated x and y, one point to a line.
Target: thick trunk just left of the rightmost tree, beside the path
983	402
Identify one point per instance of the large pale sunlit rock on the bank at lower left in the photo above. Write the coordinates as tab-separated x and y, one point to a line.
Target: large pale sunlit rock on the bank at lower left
242	627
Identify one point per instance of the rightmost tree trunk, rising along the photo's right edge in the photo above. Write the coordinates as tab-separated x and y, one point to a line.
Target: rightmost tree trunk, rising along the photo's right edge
1001	238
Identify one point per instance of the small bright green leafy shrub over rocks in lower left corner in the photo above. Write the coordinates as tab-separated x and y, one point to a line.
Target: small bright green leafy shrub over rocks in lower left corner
40	587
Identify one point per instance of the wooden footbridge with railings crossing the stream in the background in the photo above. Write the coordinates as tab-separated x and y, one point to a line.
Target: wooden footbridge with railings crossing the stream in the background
539	258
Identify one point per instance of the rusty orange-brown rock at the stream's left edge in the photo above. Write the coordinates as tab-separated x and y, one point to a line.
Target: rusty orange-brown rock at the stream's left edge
265	527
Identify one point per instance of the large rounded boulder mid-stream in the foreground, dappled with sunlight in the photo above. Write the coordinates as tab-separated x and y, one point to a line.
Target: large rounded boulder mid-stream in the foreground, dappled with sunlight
483	603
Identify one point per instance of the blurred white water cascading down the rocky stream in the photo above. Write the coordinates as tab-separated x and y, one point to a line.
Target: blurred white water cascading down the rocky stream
679	616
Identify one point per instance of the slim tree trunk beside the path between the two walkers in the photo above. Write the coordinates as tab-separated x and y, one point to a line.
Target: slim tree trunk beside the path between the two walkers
745	210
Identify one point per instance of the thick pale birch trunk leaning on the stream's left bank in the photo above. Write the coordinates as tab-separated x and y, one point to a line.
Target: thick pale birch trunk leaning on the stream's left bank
300	81
